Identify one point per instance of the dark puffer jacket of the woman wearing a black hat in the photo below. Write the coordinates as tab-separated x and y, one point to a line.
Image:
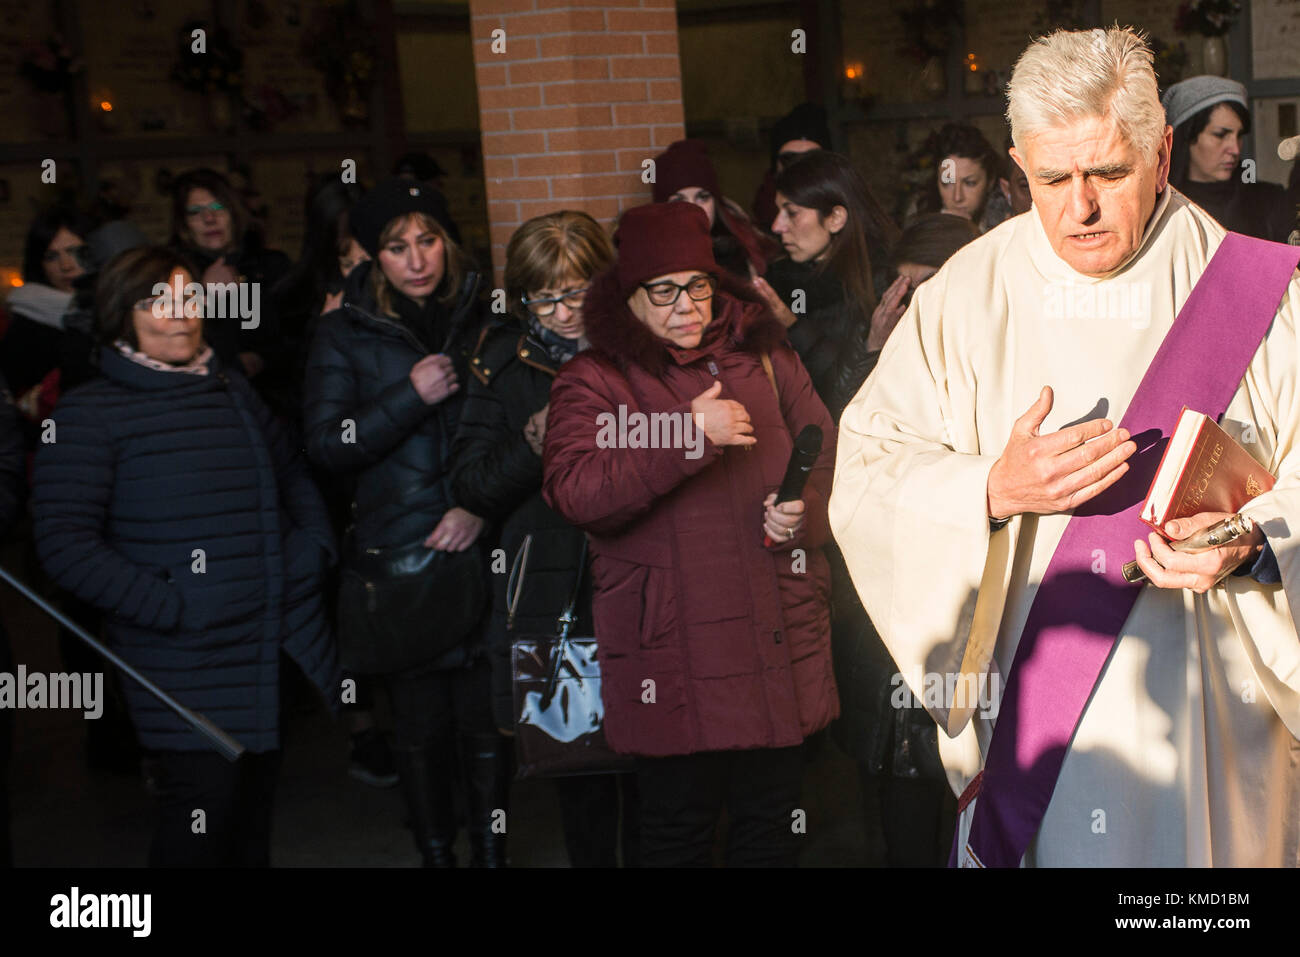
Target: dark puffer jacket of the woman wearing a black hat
363	418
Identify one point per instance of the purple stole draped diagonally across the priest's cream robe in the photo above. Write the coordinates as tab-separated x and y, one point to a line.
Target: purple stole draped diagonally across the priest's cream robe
1077	616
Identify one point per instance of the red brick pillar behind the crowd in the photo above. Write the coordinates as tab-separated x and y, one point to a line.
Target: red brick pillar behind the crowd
583	93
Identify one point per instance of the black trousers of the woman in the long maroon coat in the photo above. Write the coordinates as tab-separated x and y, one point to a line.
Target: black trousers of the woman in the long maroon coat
683	798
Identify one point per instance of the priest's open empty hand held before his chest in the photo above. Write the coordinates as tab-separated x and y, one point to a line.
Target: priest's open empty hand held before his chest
1060	471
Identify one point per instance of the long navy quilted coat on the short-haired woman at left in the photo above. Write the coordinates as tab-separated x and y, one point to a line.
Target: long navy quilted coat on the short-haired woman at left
150	467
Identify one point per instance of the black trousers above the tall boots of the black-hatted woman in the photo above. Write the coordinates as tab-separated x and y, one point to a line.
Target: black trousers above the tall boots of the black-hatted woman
431	704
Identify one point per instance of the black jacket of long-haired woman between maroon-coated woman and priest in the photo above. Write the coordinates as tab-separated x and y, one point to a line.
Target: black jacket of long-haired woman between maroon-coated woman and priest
830	339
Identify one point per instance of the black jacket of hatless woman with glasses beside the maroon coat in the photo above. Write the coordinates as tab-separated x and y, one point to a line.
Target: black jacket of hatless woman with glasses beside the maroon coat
497	475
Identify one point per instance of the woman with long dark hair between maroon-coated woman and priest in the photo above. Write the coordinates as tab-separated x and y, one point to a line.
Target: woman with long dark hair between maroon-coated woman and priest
837	237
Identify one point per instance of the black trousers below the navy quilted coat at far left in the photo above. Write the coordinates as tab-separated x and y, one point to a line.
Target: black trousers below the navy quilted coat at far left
236	800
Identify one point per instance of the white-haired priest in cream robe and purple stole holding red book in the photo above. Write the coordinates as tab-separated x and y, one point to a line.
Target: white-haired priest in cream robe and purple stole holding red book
991	473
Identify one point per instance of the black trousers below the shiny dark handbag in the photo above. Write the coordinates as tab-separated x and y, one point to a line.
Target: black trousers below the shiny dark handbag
591	812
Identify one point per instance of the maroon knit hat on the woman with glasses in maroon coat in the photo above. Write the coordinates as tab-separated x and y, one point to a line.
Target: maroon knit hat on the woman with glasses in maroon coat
662	239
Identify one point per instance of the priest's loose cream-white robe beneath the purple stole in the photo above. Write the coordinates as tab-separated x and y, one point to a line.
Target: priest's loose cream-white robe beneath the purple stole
1188	754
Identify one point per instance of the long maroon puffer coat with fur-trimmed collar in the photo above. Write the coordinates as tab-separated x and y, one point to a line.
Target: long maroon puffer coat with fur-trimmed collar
734	636
